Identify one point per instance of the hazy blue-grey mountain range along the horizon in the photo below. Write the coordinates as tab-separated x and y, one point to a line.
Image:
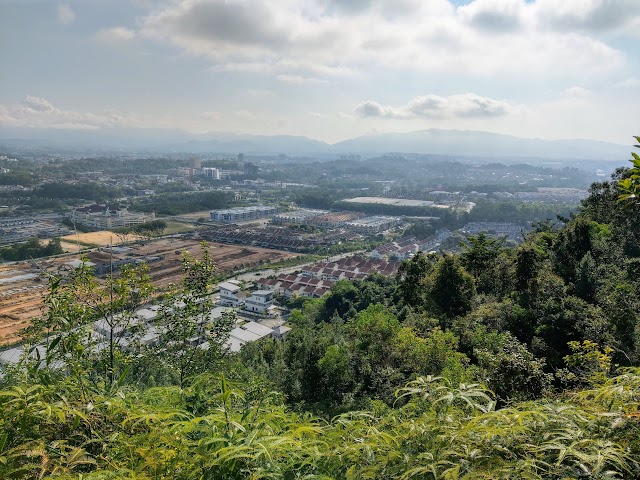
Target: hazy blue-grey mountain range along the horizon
433	141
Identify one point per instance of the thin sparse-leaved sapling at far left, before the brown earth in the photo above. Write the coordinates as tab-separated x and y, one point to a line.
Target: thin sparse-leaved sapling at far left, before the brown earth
77	306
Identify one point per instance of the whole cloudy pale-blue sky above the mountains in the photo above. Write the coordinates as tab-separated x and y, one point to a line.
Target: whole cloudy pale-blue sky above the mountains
326	69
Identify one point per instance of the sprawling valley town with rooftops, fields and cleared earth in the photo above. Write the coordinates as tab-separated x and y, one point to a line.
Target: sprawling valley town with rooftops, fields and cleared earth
271	237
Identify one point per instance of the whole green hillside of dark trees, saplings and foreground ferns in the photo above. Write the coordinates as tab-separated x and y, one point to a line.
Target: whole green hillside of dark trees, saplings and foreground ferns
497	363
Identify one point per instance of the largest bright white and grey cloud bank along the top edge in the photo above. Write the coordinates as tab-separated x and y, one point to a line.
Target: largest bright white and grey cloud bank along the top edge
326	38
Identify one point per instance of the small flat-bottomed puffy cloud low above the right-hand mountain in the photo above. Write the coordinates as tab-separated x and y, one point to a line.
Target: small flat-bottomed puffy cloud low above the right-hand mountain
434	106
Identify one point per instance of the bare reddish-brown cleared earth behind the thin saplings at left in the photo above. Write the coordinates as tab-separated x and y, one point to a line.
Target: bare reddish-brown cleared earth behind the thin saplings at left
23	285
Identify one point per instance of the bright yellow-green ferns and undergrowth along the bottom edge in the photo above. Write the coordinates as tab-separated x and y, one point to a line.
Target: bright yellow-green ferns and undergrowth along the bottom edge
215	430
